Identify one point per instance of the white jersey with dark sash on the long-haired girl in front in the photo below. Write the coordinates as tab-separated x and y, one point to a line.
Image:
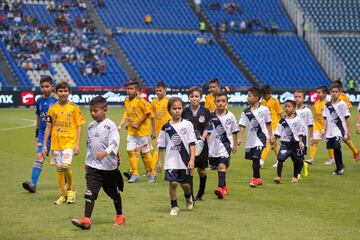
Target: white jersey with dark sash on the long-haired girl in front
184	133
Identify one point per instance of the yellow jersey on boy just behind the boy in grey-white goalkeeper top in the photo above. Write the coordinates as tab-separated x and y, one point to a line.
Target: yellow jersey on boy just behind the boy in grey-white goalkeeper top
135	109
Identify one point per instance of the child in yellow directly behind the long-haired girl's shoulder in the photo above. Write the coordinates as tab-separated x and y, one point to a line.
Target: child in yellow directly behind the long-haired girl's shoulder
159	107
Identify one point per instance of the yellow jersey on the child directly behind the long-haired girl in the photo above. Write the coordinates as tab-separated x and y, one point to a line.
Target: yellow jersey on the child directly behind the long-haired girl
162	116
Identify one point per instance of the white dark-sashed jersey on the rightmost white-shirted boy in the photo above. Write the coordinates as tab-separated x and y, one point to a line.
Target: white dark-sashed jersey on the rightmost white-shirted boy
335	121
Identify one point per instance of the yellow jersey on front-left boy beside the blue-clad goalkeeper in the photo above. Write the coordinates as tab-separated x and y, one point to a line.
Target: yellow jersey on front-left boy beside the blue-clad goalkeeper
65	120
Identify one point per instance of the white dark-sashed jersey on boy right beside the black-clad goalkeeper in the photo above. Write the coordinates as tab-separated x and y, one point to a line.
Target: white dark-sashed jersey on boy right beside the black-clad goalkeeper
228	126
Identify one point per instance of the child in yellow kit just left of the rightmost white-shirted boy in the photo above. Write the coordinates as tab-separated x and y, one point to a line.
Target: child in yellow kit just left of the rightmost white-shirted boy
319	105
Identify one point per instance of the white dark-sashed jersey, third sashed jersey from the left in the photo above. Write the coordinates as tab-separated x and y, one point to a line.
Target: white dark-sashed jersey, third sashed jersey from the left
256	128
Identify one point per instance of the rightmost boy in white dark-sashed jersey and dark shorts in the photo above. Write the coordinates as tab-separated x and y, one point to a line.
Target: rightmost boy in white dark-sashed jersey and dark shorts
336	126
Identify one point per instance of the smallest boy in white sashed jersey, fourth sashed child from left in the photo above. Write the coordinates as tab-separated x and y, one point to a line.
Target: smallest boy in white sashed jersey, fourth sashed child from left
291	132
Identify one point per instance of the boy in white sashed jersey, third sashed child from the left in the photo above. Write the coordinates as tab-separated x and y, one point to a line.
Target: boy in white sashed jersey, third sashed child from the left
256	119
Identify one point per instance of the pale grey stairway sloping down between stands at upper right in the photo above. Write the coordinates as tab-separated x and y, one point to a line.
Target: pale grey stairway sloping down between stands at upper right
332	65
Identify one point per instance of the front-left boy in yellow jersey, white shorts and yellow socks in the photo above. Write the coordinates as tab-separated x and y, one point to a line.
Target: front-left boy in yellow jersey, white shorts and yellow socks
64	121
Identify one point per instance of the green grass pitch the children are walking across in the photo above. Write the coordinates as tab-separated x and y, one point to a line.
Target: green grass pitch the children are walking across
319	207
